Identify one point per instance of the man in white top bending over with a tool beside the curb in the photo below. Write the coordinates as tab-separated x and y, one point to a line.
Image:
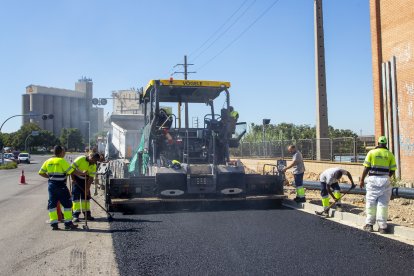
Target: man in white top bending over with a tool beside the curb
329	181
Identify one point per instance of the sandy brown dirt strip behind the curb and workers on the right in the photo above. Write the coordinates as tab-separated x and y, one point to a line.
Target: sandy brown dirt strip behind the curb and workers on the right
401	211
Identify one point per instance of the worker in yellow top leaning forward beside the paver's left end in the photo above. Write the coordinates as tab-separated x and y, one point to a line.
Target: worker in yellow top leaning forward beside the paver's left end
82	184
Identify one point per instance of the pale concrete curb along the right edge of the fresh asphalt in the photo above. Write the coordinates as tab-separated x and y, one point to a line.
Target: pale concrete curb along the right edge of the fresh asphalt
402	232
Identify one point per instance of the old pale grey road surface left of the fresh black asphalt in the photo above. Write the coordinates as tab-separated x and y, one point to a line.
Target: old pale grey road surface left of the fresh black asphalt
28	246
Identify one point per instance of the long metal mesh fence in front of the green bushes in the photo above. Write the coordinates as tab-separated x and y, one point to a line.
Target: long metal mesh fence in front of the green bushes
346	149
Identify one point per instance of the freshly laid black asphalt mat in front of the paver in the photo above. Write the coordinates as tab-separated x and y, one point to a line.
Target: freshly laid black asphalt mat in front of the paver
251	241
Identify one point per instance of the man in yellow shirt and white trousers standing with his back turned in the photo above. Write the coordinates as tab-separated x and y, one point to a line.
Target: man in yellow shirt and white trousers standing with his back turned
379	166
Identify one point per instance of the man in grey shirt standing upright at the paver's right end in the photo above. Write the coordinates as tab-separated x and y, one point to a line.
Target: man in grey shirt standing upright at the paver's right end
298	171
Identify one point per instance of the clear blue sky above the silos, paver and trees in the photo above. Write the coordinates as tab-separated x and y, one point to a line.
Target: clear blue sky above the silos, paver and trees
265	48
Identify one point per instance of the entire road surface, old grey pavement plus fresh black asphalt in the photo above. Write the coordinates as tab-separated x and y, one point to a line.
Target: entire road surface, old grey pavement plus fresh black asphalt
224	240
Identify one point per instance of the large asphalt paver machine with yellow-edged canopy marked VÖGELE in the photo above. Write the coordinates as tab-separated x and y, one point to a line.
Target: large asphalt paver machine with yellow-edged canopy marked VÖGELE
178	163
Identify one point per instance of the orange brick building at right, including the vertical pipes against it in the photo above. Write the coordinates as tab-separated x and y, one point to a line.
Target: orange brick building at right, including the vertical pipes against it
392	29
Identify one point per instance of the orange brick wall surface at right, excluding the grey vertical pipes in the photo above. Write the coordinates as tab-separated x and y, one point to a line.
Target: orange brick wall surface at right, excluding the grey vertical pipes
392	29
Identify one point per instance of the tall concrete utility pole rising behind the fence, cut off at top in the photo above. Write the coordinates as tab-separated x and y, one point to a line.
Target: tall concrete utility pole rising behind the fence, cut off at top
322	130
